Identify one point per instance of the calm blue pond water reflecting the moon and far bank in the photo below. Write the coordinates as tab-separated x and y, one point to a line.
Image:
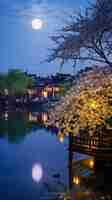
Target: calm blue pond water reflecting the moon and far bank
35	163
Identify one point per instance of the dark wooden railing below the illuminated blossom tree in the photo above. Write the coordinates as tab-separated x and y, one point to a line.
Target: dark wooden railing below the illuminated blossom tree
97	147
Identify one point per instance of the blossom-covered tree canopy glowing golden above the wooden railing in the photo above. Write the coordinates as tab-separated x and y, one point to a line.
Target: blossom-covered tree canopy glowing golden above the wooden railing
88	104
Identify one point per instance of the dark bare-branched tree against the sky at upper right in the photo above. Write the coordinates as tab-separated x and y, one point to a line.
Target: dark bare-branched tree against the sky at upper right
86	37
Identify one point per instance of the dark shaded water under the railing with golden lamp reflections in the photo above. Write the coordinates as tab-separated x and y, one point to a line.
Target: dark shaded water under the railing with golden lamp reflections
90	176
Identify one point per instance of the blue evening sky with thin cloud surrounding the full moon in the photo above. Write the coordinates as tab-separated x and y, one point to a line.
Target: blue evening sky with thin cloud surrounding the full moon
20	45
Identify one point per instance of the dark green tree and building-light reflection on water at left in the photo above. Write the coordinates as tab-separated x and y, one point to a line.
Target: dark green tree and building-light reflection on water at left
16	125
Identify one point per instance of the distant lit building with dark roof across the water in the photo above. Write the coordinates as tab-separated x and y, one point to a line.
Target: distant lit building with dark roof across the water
50	86
